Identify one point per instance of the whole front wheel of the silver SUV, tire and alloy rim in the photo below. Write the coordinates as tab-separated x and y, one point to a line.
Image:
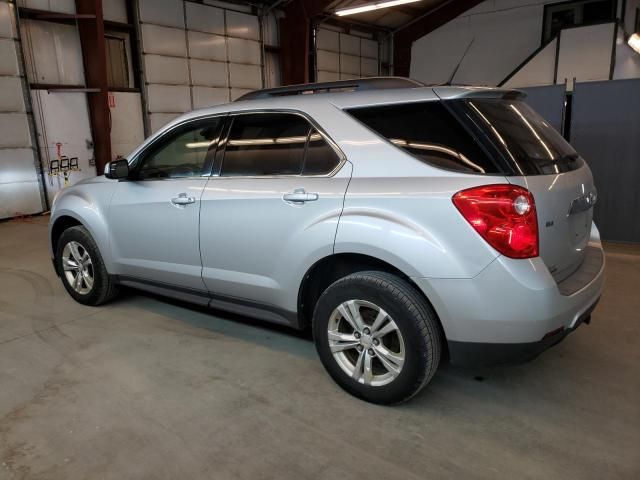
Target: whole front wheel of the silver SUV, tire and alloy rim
81	267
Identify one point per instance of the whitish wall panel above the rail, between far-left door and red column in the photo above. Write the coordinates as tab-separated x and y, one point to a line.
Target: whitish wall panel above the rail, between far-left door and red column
52	53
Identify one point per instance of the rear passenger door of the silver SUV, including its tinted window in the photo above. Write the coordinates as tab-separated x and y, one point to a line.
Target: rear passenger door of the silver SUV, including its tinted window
269	210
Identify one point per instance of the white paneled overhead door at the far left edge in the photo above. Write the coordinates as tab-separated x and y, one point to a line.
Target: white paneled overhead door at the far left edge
20	187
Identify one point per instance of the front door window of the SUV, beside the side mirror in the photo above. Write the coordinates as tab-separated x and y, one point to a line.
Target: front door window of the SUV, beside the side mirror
184	152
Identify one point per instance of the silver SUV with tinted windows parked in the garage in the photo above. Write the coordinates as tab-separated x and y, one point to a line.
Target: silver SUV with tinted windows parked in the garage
404	224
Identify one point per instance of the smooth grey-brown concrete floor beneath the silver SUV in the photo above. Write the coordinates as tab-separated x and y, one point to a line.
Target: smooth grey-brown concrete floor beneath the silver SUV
144	388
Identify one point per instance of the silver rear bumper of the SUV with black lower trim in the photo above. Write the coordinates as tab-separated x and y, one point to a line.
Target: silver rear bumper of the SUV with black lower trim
514	309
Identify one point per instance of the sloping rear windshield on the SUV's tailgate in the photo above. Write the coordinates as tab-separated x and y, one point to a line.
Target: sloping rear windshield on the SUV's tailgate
525	138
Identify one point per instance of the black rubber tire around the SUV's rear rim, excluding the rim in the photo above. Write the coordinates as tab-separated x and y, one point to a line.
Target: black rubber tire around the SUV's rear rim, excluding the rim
414	317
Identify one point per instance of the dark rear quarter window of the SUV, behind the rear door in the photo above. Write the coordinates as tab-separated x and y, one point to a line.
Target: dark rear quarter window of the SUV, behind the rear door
429	132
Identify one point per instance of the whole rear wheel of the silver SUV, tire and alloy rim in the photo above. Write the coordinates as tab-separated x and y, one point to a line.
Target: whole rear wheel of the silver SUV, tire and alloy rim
377	337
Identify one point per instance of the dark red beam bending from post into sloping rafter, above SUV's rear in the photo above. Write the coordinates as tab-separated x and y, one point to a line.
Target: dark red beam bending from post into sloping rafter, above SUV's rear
404	37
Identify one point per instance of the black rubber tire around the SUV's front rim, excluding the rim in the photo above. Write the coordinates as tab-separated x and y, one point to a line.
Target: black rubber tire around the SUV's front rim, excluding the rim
104	288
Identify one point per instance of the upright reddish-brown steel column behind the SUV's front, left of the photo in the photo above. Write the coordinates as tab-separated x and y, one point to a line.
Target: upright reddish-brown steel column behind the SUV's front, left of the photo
95	67
